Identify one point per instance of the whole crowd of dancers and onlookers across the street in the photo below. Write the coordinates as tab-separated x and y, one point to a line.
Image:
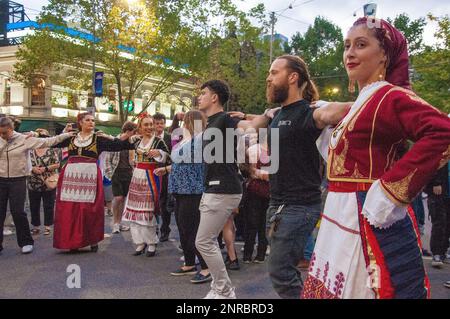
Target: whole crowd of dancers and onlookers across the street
354	154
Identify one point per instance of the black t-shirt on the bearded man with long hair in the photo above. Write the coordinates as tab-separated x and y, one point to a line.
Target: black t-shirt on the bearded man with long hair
297	181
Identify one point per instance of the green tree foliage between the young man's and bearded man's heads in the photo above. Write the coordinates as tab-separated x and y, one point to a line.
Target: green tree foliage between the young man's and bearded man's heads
239	54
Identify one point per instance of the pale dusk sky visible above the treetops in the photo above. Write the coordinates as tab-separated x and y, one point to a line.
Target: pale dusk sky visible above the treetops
339	12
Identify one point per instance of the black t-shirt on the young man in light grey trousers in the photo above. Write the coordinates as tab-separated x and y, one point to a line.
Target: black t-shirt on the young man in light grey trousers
221	177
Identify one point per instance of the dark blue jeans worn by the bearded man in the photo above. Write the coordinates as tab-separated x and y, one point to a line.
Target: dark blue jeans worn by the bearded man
287	243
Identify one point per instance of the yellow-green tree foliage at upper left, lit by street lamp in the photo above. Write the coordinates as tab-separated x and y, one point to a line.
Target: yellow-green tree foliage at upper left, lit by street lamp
151	38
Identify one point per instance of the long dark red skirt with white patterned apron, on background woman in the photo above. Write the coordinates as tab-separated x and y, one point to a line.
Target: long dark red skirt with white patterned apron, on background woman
79	210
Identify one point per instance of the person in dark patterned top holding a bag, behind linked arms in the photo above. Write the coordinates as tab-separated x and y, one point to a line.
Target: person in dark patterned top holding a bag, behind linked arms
42	185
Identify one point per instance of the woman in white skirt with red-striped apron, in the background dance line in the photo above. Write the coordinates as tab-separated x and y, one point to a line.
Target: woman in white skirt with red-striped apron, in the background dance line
143	196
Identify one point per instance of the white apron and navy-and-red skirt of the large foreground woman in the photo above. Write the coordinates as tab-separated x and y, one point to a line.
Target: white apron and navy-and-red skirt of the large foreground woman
353	259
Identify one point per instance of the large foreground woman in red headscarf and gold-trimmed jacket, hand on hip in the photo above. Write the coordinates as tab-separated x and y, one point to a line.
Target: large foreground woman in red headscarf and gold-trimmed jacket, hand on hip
368	244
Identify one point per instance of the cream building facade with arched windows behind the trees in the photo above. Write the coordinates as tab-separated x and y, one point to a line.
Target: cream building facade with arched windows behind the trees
49	105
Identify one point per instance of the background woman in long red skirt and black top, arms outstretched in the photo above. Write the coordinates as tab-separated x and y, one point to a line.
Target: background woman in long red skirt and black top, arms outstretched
79	213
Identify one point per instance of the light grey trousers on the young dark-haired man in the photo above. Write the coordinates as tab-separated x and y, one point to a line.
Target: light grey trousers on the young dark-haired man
215	209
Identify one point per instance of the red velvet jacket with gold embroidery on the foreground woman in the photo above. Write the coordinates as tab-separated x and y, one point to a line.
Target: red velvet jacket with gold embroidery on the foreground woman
373	139
